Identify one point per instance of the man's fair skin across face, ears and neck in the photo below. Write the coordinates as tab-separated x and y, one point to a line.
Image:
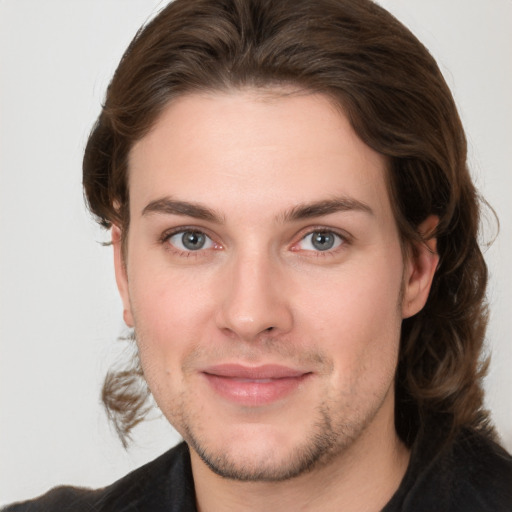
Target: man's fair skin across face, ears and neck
259	292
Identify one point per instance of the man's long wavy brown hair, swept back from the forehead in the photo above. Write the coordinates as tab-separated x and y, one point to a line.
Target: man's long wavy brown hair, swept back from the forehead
391	89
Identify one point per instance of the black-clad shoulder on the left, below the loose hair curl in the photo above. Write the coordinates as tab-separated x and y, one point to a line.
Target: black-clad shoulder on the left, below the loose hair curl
163	484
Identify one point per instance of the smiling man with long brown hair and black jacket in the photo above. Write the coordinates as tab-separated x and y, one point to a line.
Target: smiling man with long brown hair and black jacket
294	230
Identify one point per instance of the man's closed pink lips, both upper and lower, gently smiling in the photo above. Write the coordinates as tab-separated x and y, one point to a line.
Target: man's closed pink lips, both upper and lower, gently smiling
254	385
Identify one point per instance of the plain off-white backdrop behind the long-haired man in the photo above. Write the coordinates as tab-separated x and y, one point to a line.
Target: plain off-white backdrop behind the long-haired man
59	311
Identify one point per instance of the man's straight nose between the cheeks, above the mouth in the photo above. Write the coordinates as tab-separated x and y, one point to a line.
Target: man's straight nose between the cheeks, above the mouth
254	299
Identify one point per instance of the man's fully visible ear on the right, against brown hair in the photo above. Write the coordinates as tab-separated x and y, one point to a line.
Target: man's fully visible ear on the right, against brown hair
420	268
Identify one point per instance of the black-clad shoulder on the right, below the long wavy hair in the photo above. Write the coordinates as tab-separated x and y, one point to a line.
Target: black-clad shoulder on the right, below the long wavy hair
472	474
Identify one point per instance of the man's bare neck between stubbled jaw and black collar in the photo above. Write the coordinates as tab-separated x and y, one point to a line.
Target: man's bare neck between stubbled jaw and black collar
361	478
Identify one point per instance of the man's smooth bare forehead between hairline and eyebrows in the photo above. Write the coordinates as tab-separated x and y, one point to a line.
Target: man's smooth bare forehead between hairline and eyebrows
268	149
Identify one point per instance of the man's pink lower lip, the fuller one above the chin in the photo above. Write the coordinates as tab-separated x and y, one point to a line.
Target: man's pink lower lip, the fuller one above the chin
254	392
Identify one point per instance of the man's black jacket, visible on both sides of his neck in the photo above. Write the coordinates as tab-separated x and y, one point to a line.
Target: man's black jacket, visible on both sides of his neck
473	474
